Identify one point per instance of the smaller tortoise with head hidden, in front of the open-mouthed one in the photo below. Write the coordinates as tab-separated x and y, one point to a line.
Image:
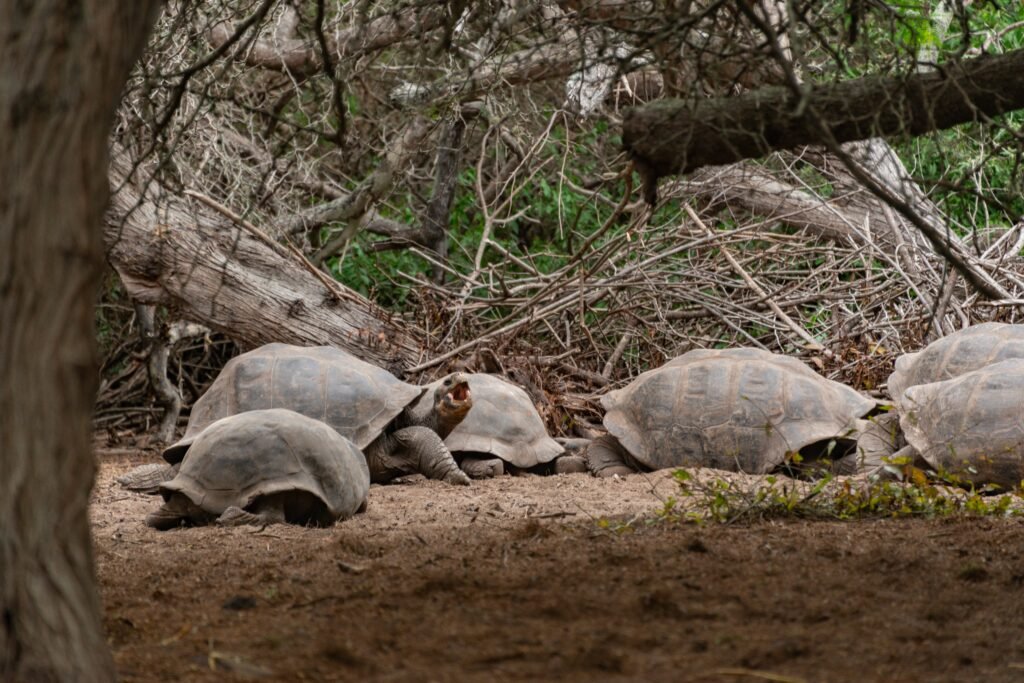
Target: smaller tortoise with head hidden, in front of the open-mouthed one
264	467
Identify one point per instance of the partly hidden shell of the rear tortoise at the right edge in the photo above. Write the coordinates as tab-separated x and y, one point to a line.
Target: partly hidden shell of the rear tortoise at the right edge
955	355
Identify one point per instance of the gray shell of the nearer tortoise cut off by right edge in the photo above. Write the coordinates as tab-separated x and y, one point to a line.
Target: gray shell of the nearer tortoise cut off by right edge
971	425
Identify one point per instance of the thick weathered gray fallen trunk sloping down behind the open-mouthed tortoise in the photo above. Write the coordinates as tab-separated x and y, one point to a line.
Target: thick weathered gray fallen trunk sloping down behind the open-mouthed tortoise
230	277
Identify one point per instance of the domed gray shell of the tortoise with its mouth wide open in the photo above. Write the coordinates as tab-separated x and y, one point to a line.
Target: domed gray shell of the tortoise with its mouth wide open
355	398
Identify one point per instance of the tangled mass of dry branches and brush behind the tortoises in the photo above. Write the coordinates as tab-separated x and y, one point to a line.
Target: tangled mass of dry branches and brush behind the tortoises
460	165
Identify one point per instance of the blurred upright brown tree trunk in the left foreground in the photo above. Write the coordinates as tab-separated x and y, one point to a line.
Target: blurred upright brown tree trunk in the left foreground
65	65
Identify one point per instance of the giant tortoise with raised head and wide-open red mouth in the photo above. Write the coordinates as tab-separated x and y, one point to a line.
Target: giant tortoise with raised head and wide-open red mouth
366	404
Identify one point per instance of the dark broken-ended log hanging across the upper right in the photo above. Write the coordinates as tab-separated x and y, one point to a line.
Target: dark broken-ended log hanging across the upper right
676	137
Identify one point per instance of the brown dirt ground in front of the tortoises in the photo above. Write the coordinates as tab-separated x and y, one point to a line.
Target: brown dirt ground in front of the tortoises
516	579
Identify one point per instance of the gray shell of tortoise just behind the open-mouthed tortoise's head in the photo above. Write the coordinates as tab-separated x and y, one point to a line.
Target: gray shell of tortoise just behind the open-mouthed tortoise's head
504	422
